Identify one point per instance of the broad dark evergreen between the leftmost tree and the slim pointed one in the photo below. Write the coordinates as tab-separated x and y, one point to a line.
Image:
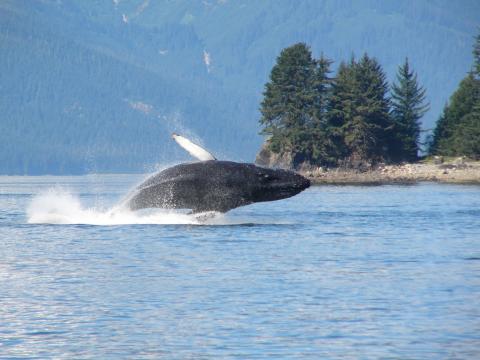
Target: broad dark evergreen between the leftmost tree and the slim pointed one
360	111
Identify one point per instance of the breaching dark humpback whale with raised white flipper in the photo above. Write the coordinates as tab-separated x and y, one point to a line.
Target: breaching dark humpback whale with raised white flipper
214	185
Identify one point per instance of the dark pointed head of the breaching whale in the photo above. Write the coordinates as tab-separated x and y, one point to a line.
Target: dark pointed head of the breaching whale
277	184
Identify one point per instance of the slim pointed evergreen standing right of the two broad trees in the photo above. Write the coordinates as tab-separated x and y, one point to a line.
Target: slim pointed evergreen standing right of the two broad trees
408	107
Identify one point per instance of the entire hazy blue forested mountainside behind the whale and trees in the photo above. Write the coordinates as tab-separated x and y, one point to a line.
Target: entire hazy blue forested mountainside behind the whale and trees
99	86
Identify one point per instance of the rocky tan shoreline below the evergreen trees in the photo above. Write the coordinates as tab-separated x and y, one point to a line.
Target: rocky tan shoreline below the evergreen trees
455	172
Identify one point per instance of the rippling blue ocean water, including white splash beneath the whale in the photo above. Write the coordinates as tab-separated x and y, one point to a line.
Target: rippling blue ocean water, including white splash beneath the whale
337	272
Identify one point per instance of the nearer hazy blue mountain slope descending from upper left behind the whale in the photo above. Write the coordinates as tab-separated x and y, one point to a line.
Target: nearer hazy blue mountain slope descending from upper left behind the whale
70	103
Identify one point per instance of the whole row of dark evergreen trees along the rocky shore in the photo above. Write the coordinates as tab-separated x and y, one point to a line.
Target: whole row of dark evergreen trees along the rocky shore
355	119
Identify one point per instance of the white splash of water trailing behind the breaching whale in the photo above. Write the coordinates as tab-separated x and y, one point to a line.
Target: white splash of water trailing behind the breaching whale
58	206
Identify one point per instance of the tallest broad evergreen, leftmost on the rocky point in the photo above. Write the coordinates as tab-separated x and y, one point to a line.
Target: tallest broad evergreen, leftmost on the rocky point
293	109
